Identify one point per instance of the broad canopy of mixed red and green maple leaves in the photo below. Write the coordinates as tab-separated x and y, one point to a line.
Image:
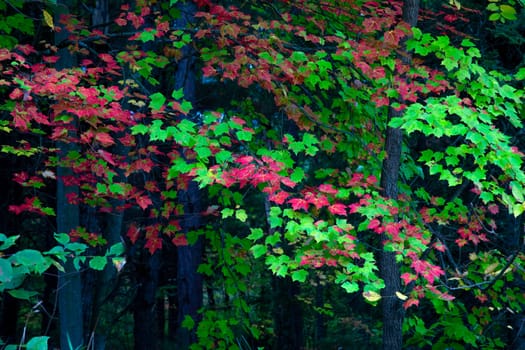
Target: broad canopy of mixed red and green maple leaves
327	73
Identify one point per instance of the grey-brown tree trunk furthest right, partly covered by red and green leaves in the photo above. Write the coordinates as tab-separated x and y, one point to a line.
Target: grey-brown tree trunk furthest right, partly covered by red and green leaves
393	312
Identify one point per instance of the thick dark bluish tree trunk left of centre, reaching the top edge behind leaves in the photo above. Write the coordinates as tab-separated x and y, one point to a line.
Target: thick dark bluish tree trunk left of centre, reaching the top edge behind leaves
189	282
